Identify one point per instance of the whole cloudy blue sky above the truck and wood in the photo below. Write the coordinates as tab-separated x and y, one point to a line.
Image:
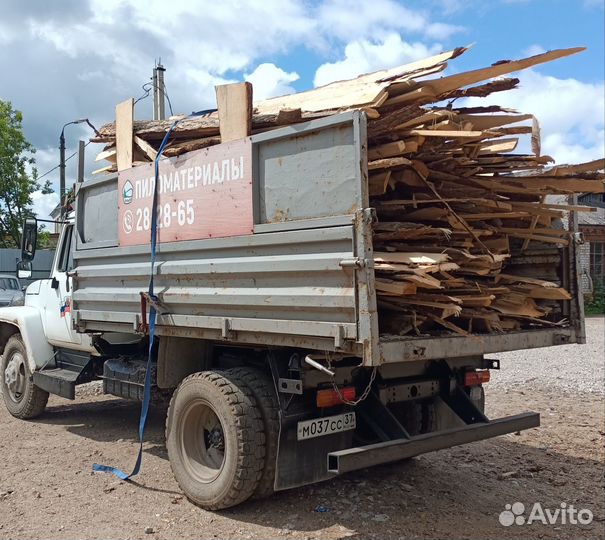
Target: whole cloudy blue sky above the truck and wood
70	59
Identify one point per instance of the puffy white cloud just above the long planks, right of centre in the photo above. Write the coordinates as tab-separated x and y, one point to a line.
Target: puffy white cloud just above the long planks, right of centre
364	56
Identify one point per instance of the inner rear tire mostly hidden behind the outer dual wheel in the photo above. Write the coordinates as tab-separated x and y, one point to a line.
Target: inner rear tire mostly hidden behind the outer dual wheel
263	389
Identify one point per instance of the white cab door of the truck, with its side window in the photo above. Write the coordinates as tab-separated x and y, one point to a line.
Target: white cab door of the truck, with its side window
56	300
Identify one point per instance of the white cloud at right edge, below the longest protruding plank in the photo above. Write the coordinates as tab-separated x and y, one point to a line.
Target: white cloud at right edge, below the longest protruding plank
571	114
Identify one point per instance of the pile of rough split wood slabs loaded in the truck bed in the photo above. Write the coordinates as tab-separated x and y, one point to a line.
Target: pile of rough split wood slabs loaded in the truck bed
466	239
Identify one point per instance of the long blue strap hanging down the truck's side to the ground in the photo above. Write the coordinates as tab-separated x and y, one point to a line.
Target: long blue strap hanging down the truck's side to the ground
152	317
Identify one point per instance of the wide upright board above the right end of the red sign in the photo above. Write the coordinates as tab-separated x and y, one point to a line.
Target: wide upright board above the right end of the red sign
234	102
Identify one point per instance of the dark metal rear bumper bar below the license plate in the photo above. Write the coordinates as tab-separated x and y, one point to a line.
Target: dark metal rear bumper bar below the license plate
352	459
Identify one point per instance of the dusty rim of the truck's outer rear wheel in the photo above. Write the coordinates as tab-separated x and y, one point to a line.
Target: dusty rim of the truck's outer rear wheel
202	441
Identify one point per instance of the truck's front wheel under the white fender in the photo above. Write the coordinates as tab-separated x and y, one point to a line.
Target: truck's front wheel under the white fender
22	397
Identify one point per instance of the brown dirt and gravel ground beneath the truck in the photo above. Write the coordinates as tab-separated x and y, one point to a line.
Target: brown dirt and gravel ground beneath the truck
47	489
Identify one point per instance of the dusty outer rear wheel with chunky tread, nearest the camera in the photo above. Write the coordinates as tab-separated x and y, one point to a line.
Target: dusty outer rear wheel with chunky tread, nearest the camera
215	439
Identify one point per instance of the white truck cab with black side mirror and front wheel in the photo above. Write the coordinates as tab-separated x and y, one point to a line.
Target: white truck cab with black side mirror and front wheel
41	350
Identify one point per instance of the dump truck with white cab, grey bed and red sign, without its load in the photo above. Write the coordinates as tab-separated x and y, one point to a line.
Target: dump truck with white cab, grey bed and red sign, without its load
267	334
